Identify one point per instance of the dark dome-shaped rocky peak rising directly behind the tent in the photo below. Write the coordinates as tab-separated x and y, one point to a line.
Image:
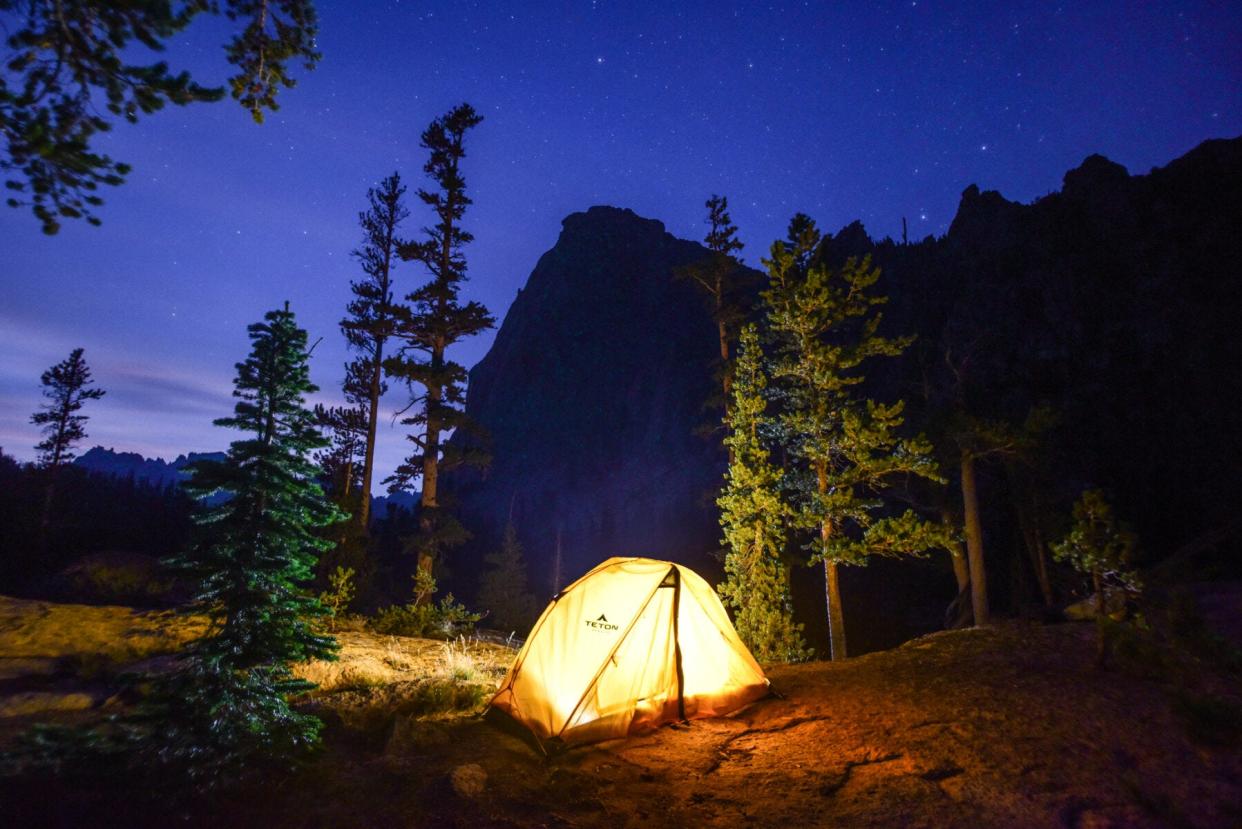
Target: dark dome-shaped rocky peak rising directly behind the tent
592	395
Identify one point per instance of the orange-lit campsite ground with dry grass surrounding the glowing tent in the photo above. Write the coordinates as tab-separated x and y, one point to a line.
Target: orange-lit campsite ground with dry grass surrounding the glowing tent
1008	726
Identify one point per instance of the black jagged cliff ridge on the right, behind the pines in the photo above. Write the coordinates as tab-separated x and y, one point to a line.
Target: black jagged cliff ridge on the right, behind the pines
1115	301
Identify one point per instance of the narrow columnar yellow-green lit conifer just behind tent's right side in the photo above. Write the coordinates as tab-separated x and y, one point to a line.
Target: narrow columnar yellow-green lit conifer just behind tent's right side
756	520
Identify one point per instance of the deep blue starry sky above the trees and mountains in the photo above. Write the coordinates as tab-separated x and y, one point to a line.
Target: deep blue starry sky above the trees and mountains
841	110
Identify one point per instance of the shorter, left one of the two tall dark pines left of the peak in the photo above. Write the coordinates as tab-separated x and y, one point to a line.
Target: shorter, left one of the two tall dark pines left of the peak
373	313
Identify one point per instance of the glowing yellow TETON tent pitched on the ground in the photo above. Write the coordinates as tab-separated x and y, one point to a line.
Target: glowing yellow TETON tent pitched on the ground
633	644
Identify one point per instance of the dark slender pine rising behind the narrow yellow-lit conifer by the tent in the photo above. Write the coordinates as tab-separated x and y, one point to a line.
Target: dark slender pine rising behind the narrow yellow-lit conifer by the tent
723	280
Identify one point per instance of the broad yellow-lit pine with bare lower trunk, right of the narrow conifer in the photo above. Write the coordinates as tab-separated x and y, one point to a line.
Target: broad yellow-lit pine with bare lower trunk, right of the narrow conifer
846	448
